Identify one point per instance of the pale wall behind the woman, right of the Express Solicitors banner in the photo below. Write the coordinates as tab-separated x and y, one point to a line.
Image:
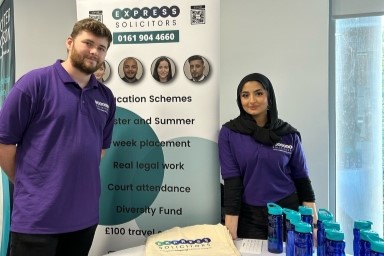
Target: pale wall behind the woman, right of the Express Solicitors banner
288	42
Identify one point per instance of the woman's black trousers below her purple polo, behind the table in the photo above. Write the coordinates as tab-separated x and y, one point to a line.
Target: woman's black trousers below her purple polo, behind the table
253	220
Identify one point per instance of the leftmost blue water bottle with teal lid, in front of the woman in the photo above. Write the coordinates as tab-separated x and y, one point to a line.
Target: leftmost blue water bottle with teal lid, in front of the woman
275	228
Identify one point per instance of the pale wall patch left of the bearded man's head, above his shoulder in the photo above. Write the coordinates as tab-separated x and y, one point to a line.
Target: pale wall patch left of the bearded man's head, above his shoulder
41	27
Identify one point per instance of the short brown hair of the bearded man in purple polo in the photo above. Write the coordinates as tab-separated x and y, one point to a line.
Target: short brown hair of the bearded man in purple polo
94	26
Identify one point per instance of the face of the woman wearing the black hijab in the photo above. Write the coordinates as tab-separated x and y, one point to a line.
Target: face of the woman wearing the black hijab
254	100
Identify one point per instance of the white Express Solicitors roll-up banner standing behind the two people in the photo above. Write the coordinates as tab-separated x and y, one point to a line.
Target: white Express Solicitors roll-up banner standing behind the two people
162	168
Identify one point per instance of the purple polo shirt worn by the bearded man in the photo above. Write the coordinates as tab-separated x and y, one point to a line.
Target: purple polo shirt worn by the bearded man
60	130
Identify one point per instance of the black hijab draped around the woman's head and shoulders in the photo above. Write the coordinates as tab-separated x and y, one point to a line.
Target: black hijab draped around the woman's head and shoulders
271	133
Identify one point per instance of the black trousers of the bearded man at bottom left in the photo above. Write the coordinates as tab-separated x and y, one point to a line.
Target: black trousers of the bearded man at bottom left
76	243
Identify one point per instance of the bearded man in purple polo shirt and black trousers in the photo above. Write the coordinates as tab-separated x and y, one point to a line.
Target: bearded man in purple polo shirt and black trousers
55	126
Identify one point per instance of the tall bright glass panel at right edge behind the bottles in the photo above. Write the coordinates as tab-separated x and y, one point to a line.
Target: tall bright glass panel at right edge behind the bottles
359	117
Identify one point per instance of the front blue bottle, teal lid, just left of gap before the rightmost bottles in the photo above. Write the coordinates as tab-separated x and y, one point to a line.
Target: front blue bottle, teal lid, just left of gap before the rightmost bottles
334	243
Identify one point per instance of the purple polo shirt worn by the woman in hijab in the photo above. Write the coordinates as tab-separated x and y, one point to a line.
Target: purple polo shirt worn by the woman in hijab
267	171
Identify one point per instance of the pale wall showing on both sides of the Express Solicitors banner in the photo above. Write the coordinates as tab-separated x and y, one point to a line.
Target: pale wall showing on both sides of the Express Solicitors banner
285	40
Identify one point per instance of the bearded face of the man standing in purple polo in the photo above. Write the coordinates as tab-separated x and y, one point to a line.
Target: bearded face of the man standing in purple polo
87	52
